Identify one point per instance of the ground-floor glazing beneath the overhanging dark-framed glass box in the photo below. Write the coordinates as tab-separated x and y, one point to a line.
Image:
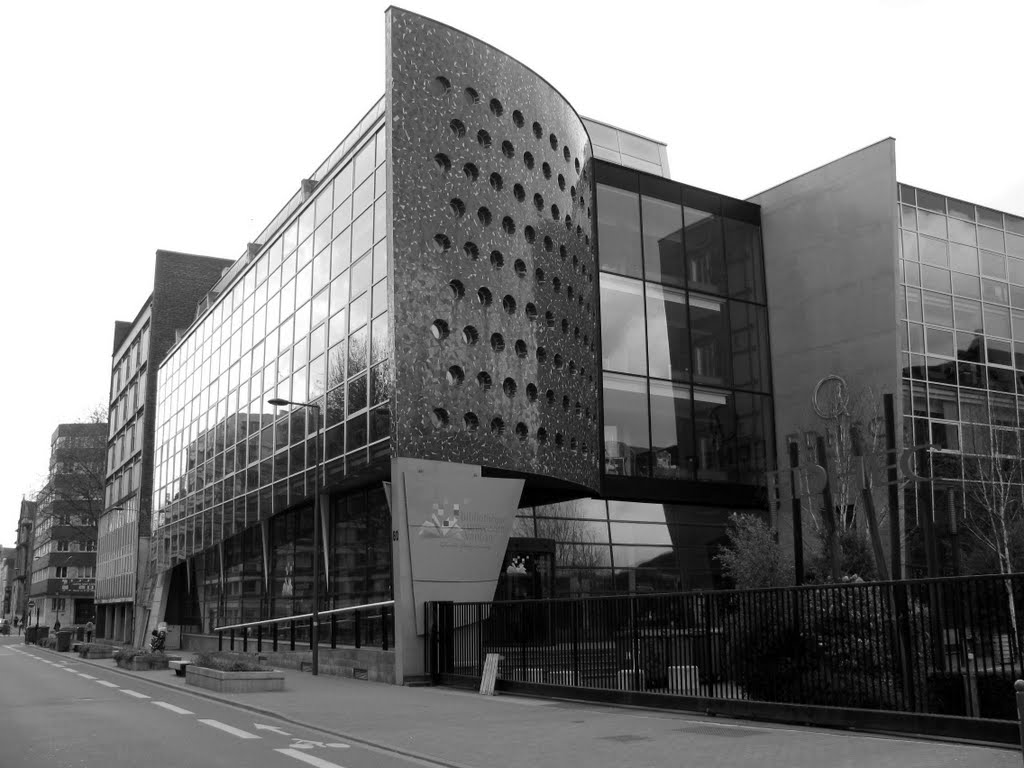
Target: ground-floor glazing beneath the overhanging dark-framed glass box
604	547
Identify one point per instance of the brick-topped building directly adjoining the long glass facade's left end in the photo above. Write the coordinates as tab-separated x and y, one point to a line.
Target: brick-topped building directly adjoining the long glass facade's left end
181	283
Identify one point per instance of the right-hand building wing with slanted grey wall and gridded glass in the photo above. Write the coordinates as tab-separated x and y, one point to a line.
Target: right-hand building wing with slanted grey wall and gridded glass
906	292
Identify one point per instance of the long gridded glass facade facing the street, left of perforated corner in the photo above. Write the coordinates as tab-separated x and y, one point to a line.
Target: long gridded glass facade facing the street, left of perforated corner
306	320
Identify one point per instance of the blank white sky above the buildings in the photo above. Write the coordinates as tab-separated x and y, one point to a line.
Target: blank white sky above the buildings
127	127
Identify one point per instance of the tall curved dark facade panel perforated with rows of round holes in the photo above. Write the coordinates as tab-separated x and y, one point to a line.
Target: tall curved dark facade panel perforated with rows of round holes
493	266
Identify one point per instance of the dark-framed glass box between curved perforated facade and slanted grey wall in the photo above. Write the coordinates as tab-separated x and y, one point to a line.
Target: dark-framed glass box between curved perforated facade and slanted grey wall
685	333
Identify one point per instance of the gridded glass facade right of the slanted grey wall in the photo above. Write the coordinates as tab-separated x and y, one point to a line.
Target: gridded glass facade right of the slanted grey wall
962	310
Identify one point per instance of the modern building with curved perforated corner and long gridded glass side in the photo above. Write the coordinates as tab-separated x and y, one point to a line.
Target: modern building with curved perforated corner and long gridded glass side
461	284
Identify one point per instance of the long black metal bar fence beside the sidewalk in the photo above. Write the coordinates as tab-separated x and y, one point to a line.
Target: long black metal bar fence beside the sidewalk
949	647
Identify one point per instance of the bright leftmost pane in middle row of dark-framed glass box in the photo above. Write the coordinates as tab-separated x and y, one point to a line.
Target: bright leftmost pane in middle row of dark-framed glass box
623	325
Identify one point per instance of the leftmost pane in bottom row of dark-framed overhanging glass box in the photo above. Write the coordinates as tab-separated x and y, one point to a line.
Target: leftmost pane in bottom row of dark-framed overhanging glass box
627	440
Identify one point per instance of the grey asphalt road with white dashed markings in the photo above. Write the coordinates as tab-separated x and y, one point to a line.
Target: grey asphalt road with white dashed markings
60	713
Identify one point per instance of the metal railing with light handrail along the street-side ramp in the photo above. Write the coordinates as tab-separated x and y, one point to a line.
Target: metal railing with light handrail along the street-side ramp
370	625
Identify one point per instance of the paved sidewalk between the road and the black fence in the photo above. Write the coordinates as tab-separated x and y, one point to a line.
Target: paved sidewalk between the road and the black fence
463	730
